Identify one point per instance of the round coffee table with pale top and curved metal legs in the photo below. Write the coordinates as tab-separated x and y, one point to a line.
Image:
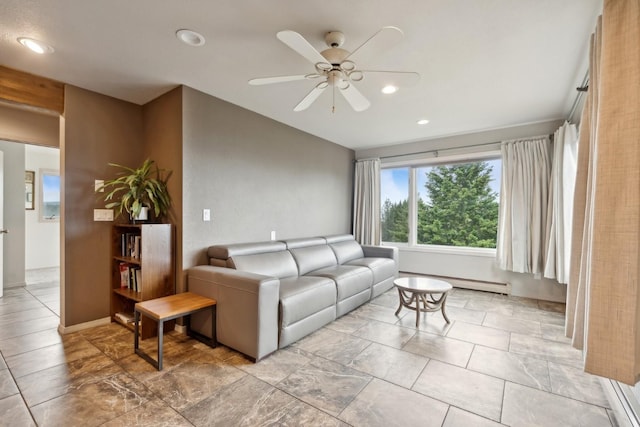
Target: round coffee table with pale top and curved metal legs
415	292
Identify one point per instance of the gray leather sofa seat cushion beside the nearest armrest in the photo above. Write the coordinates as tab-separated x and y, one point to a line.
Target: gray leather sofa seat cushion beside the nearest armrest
303	296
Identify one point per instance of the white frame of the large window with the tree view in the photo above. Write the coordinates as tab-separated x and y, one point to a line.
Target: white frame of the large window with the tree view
413	165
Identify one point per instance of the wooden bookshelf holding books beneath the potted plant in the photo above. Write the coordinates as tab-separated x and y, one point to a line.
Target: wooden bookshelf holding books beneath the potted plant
154	257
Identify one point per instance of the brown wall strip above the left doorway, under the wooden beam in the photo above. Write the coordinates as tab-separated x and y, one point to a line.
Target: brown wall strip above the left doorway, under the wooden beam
28	125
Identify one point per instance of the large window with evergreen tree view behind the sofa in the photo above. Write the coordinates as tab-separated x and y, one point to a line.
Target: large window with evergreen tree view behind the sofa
453	204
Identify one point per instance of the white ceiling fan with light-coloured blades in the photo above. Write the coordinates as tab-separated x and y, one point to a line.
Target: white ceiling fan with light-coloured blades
336	67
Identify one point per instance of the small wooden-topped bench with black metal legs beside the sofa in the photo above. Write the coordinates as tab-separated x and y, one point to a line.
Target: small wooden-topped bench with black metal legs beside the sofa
169	308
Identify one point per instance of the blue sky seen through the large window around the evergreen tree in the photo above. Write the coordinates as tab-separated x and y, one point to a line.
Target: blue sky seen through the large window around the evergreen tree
394	183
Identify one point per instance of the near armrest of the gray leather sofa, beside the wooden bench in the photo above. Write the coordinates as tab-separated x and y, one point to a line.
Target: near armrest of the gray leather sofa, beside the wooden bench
247	309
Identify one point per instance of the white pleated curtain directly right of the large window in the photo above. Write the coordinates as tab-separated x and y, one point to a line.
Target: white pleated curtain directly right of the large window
526	169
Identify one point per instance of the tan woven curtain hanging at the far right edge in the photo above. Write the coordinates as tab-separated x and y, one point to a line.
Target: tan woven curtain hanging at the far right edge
603	293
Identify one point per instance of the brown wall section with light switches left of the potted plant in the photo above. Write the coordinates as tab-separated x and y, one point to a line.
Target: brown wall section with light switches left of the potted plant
96	130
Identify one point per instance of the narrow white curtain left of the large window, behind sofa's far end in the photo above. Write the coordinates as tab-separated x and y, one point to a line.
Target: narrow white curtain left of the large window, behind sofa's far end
366	202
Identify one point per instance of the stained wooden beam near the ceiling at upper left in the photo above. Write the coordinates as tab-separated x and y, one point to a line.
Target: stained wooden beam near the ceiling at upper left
28	89
